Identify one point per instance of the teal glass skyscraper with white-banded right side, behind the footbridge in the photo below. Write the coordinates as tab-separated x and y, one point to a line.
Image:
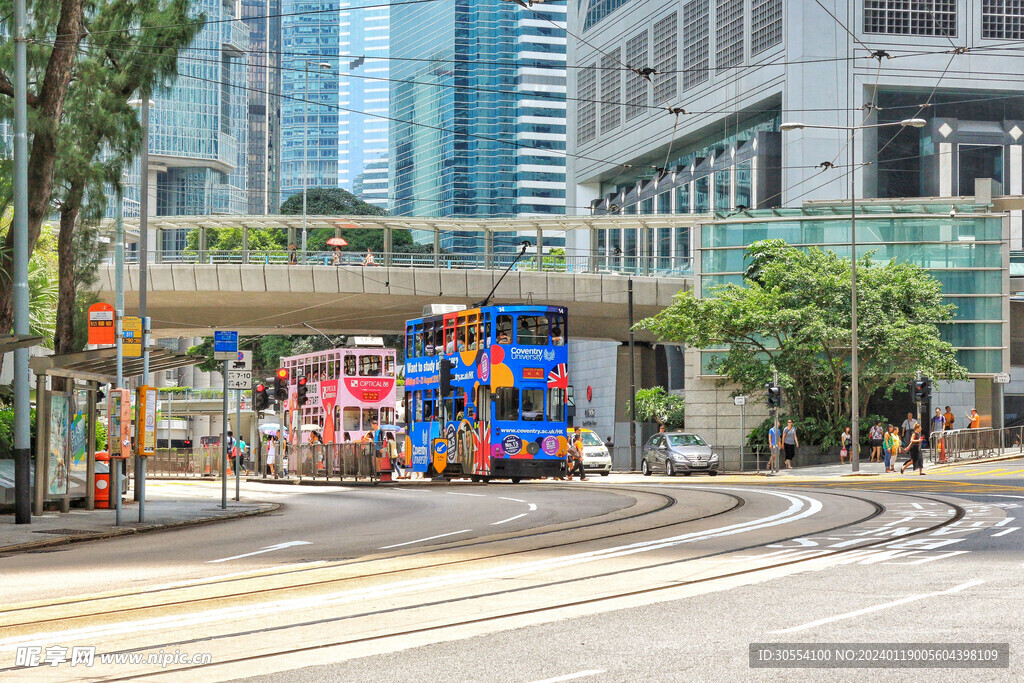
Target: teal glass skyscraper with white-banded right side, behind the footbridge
479	109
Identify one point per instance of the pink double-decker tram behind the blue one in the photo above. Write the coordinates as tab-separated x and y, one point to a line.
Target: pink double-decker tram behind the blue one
347	390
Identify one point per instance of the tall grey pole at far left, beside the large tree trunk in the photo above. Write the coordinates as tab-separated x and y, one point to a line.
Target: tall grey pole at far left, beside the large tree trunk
23	426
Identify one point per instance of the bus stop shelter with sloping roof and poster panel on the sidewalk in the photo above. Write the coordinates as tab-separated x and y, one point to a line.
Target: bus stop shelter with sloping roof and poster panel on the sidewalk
66	421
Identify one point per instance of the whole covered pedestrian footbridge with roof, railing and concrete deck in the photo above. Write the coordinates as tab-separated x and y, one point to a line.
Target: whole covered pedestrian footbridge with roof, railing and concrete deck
195	291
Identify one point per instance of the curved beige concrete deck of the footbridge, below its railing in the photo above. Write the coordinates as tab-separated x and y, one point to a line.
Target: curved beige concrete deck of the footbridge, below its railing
195	300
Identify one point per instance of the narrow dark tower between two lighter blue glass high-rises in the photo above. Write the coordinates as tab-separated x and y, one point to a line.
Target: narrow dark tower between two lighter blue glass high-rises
263	18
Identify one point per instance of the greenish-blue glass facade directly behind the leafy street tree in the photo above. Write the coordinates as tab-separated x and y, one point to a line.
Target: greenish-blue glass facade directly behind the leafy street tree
967	253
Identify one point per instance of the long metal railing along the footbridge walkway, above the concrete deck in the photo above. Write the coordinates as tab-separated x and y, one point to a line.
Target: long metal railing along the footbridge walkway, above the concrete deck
621	265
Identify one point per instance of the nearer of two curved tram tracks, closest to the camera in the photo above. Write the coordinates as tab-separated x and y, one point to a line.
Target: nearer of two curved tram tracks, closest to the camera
958	514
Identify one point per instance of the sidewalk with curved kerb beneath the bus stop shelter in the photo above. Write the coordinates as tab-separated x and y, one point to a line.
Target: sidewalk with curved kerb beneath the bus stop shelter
56	529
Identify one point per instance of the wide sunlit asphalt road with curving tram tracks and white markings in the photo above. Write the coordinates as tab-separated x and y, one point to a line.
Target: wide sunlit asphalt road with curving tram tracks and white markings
622	579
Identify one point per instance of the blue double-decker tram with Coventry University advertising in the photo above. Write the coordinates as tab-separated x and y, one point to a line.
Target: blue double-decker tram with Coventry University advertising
486	393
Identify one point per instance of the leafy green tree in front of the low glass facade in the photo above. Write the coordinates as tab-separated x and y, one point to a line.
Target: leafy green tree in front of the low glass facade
794	314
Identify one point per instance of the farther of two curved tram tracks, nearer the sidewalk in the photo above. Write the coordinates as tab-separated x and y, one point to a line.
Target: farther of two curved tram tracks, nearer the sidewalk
668	503
